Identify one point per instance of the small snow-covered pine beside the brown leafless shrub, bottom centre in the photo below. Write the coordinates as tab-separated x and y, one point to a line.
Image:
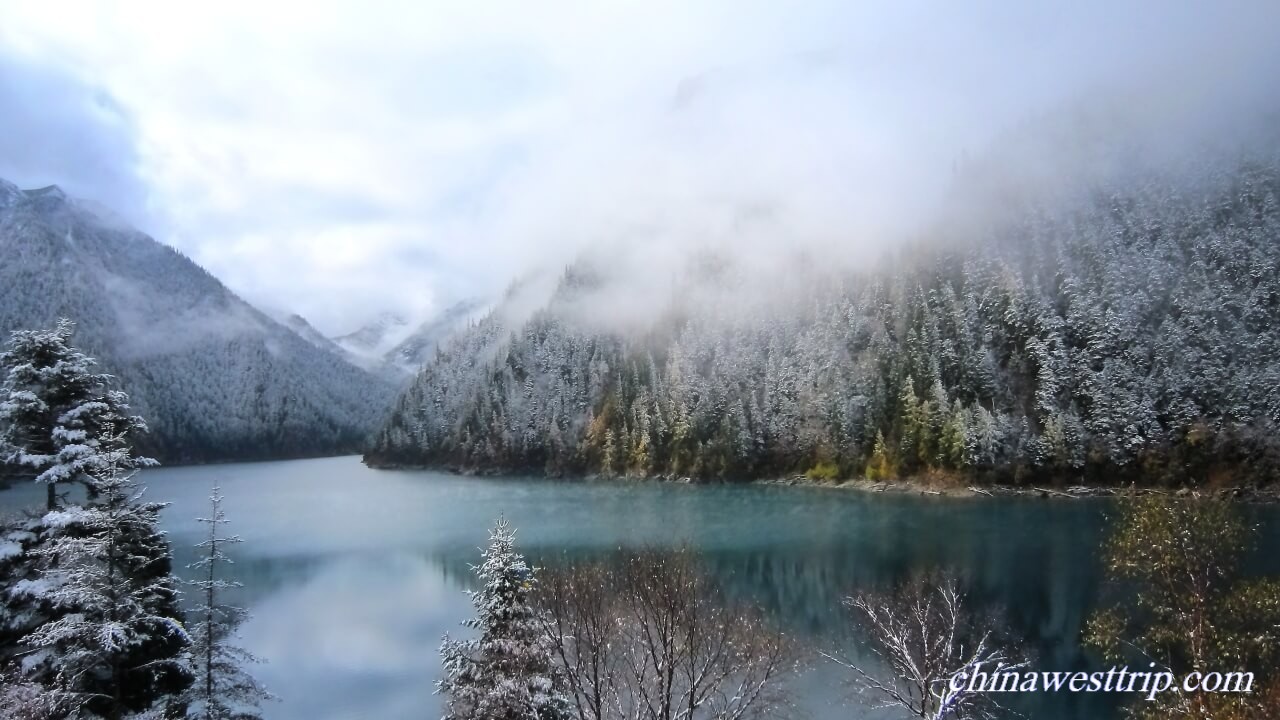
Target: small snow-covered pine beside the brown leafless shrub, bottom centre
509	672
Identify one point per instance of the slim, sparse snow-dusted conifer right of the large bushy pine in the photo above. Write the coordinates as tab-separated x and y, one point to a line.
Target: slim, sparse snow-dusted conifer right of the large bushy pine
223	689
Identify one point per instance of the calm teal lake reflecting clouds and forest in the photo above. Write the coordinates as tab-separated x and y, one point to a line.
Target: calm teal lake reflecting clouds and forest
354	576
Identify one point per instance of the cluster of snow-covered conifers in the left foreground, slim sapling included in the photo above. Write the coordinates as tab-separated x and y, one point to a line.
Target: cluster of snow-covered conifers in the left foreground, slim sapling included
92	623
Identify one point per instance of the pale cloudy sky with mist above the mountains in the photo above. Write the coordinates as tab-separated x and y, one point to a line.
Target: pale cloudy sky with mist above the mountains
340	161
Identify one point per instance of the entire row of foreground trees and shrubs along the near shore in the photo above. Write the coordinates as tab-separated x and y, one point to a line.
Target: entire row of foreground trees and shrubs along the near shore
92	625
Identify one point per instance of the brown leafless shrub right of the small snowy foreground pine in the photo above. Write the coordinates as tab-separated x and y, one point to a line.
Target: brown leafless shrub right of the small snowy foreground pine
653	640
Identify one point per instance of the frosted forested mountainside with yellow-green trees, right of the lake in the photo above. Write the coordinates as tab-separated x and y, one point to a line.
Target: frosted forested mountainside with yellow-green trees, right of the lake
1130	335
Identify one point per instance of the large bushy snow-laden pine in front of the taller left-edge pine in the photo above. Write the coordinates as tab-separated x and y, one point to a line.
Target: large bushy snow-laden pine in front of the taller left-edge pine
115	642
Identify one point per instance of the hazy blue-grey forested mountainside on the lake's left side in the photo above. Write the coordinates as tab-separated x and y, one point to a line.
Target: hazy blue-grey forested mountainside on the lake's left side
216	379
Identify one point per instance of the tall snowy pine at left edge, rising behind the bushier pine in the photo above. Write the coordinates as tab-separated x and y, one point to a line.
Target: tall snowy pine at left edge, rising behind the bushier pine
54	409
